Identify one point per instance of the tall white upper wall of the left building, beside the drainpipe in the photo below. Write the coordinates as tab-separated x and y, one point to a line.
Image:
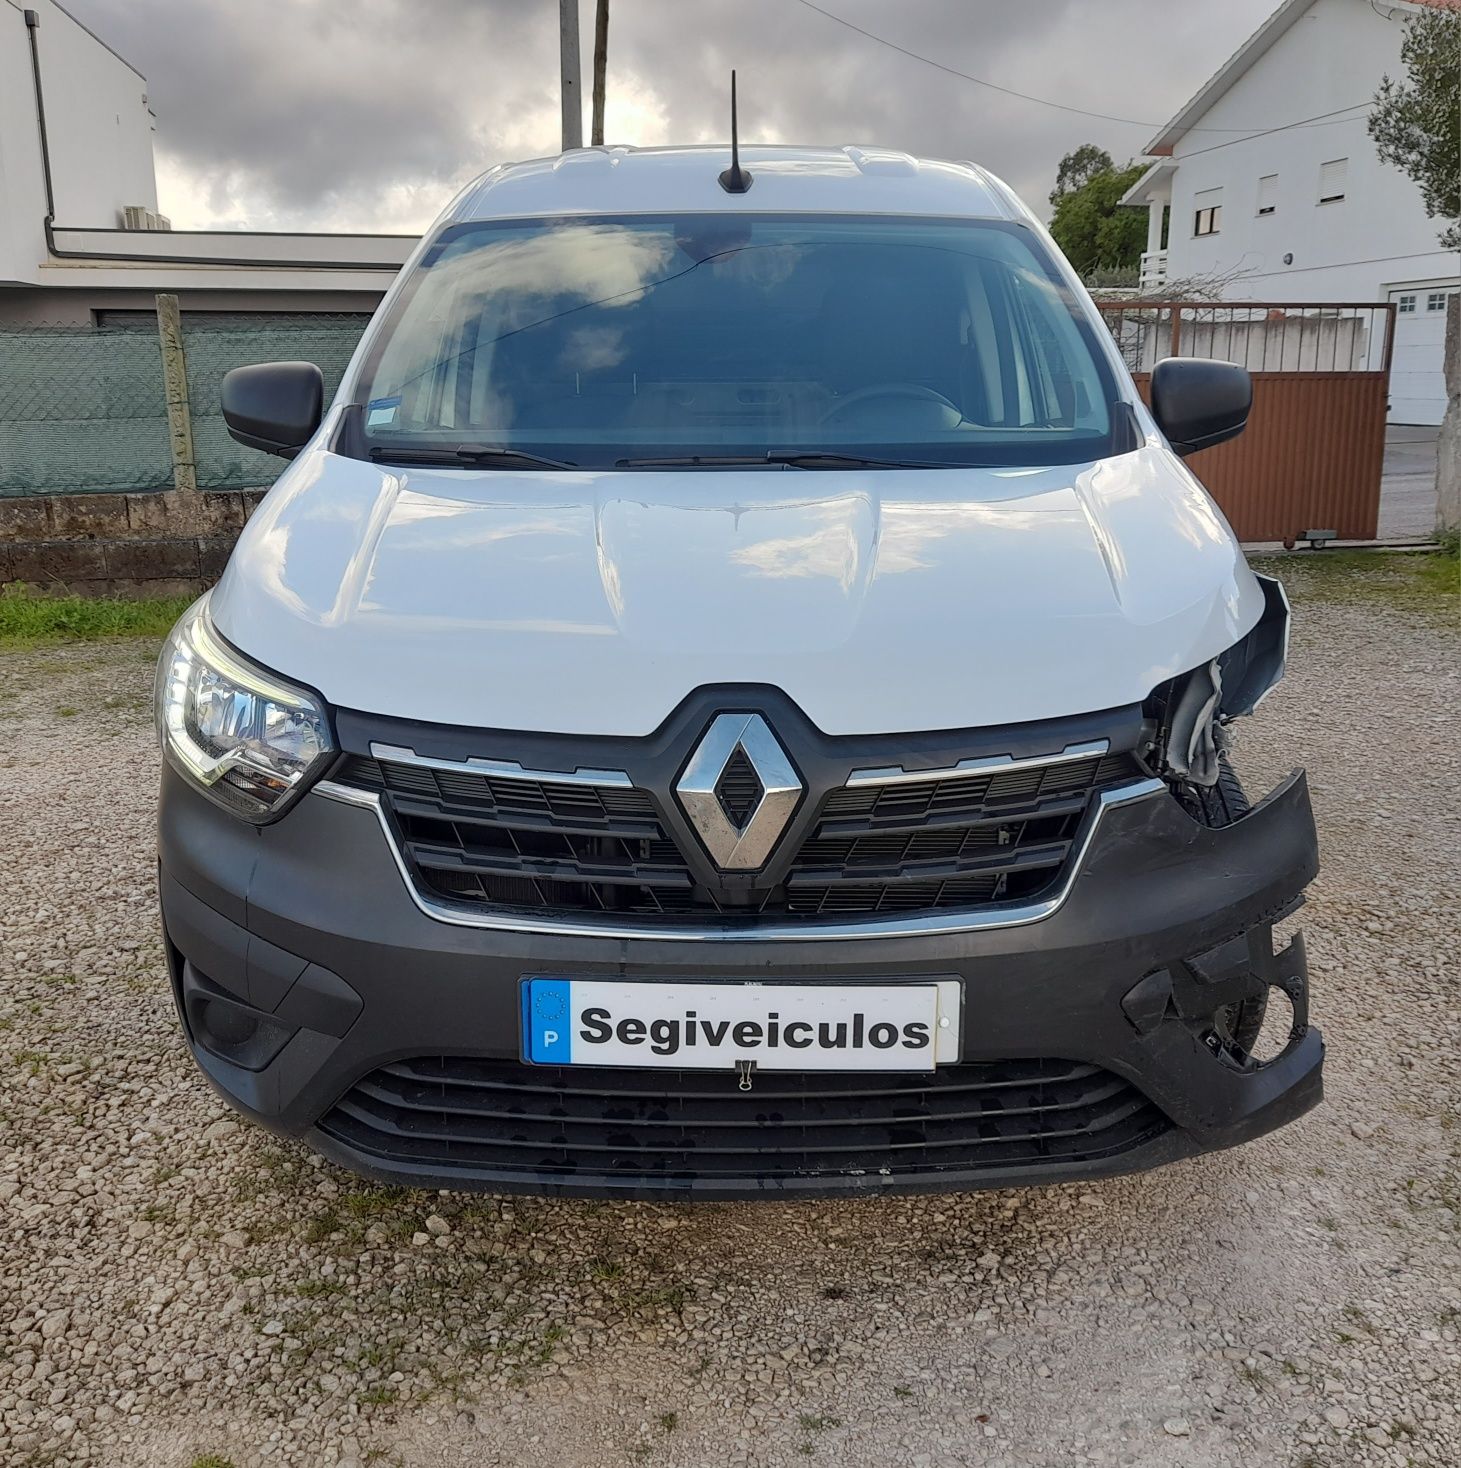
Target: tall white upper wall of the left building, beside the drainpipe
99	126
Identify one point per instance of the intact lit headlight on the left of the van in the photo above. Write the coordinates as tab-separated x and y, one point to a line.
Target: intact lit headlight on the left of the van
247	739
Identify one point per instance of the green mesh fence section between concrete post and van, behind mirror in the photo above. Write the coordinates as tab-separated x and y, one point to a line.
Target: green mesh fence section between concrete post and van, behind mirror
217	347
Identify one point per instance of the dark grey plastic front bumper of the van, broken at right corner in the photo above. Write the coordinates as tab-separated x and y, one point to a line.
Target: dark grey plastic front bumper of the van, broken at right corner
302	967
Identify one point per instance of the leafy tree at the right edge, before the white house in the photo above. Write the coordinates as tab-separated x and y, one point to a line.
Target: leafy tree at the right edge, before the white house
1416	124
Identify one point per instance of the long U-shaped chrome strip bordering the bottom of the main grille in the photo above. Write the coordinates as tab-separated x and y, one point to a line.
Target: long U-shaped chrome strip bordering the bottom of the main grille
1007	915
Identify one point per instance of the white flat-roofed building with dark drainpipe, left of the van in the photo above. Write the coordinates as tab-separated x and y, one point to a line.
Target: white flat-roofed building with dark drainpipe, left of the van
80	231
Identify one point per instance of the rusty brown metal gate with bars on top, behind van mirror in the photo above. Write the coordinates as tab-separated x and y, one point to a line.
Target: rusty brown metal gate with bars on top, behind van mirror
1313	453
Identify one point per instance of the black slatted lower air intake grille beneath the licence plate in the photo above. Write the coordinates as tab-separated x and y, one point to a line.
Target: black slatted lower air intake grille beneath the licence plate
543	1122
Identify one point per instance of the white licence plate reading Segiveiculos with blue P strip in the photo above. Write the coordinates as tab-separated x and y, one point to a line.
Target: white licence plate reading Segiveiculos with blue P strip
716	1027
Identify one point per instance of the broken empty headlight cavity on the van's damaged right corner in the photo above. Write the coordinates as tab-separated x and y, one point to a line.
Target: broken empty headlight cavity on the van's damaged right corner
1187	714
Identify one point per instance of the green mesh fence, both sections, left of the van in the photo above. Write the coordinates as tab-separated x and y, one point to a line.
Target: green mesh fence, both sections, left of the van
83	409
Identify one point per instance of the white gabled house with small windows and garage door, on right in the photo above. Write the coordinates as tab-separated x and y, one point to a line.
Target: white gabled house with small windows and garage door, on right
1268	184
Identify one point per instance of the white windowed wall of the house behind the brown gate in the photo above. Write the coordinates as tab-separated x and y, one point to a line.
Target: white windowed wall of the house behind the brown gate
1331	59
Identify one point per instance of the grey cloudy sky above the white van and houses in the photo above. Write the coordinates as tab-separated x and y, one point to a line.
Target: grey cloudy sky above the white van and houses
369	114
